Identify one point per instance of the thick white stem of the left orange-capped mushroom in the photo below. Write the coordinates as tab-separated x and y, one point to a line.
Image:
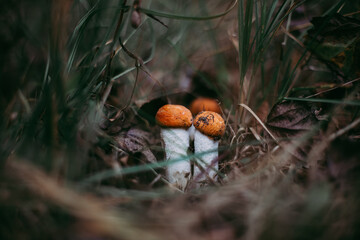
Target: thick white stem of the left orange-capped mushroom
176	142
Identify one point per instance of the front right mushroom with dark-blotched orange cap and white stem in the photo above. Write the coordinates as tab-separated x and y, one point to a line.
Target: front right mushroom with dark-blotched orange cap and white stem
210	127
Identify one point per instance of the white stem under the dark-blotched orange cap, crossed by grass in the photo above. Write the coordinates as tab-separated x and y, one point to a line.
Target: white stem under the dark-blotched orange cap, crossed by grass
209	148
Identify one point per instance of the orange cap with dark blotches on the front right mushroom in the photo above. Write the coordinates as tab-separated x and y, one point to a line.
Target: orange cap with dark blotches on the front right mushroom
210	124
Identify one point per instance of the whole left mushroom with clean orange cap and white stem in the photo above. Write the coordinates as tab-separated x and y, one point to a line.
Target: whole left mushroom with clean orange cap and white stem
174	121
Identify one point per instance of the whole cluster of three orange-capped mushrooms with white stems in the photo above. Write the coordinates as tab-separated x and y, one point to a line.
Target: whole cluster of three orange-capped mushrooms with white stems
178	128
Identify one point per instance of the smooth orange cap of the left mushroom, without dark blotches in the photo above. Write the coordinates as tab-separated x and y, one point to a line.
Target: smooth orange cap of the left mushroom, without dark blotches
174	116
